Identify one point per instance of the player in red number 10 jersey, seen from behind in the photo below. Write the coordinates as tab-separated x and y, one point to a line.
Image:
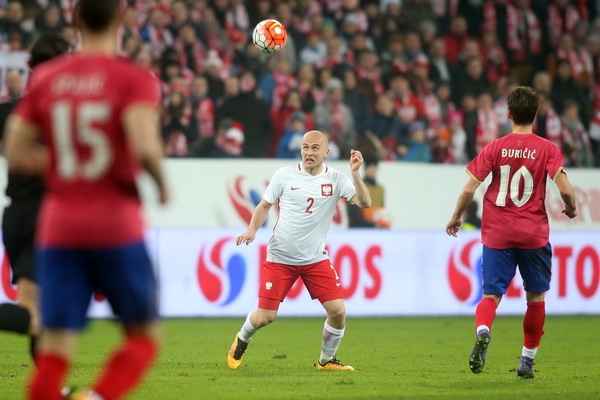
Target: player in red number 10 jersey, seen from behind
514	227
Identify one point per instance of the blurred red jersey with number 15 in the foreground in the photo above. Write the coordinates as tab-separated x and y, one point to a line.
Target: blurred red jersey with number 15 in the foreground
77	102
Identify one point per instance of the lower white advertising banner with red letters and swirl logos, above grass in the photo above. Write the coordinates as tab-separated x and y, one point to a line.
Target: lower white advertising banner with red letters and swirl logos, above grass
383	272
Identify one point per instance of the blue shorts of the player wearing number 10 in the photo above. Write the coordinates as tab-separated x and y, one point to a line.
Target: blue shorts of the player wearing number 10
498	268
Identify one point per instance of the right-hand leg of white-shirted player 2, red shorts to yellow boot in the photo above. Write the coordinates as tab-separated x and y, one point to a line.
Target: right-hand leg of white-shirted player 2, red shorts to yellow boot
323	283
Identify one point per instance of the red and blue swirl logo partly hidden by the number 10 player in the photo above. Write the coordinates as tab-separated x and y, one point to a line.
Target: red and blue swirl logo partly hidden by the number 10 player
464	272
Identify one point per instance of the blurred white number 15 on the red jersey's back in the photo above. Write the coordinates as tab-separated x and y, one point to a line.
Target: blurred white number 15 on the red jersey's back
87	114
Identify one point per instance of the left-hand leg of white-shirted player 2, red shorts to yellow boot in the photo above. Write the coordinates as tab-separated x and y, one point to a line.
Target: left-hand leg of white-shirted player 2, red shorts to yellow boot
275	282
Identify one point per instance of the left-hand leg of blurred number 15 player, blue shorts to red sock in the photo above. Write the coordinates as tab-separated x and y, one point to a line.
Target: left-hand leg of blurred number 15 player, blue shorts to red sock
66	292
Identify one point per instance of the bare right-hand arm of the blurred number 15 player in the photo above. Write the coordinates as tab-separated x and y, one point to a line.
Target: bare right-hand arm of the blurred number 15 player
141	122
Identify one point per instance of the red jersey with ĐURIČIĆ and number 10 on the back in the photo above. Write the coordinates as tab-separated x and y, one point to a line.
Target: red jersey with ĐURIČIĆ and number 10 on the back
514	209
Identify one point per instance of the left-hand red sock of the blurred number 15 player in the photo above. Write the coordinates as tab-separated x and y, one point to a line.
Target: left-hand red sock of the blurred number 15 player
48	377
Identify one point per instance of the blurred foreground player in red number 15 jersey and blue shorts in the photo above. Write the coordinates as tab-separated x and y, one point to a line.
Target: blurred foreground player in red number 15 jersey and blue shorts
89	122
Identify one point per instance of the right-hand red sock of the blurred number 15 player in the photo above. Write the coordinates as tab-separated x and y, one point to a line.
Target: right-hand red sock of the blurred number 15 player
126	368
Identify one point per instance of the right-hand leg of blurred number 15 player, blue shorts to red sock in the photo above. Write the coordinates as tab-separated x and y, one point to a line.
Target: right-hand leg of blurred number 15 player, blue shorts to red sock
126	277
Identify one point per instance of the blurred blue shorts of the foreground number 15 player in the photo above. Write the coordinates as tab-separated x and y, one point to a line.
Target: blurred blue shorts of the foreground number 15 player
69	277
